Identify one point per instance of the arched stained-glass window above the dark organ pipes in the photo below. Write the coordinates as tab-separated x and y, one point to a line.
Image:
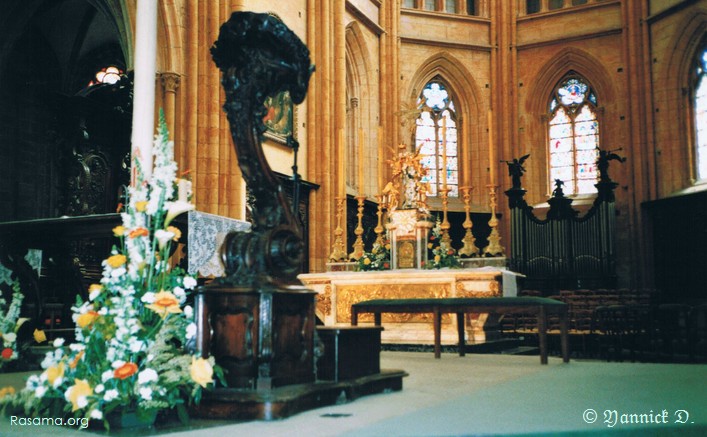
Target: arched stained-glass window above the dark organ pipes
574	136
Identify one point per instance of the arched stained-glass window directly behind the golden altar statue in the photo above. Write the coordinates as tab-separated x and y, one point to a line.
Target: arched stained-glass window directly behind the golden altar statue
436	138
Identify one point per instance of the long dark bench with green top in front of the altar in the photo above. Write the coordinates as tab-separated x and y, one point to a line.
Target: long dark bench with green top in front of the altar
539	306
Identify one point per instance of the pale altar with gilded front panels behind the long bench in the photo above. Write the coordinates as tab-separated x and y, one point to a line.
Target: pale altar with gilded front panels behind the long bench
337	291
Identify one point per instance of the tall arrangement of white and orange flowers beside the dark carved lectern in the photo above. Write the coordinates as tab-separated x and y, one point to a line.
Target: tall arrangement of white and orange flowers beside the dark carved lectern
130	352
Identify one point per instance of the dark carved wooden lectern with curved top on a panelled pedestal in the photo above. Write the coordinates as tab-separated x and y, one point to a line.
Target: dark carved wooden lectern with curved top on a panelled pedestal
258	320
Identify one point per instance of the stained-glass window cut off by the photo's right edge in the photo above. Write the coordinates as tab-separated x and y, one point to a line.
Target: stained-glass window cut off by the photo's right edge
700	105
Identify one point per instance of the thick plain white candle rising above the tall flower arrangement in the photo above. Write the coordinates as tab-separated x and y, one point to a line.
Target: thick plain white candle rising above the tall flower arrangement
144	86
